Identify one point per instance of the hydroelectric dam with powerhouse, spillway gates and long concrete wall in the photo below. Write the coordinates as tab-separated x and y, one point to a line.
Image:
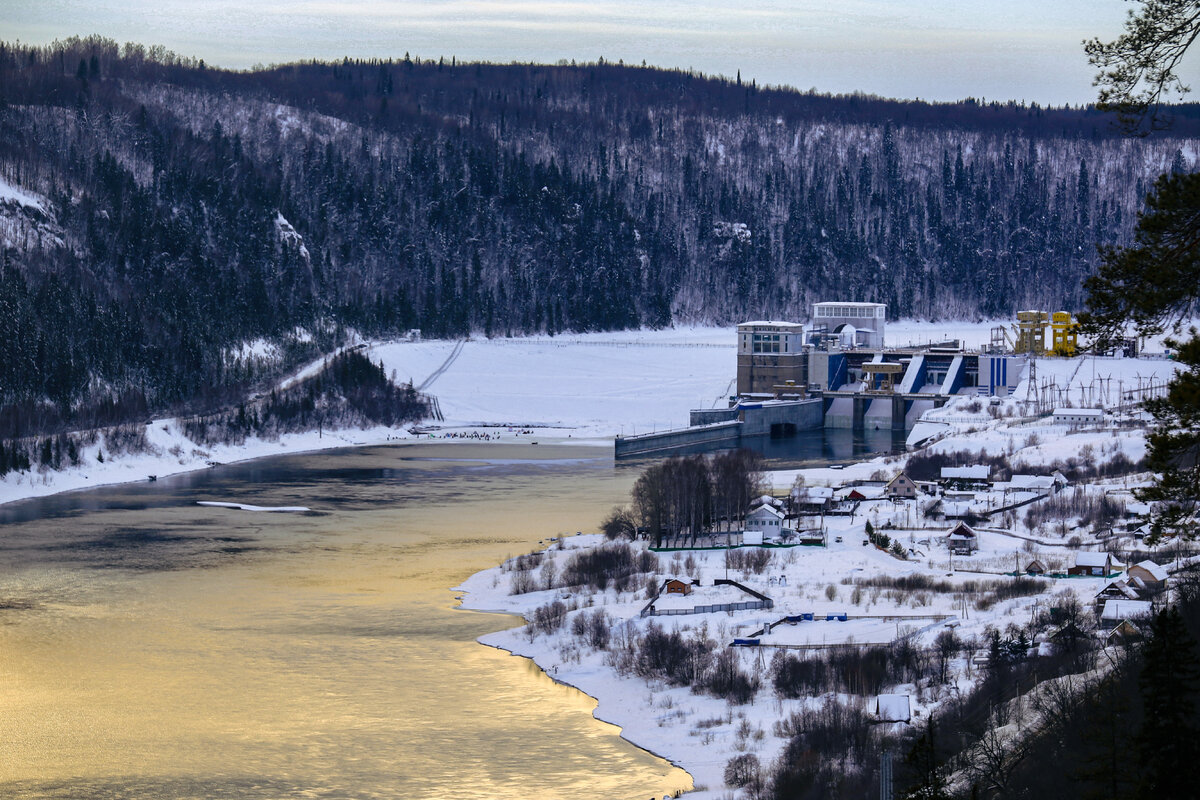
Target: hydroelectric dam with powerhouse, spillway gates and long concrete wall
835	372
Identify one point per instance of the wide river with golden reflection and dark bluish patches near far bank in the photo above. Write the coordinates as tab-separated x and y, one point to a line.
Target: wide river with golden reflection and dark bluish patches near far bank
182	652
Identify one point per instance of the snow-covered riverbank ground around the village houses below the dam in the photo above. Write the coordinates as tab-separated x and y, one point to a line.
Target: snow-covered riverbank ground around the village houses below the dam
857	596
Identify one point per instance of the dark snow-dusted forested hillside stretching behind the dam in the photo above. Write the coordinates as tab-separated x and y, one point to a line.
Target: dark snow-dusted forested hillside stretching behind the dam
173	234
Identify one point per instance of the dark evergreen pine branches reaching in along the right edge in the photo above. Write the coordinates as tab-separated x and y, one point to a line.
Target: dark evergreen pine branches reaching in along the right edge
1156	284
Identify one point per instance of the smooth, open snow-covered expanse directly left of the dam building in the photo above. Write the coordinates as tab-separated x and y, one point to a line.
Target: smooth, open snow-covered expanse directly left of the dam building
580	386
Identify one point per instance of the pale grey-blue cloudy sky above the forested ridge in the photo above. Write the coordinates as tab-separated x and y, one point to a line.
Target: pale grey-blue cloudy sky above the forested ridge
931	50
